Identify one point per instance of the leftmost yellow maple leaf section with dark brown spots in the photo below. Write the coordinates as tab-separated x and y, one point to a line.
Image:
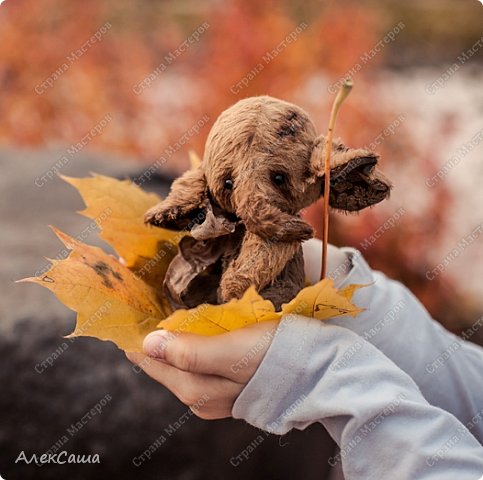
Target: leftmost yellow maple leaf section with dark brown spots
111	302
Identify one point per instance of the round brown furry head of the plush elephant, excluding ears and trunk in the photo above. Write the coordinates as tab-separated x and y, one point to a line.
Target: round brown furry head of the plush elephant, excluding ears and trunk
257	153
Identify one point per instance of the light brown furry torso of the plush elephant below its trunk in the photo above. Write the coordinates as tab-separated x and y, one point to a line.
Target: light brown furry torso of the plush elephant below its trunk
259	263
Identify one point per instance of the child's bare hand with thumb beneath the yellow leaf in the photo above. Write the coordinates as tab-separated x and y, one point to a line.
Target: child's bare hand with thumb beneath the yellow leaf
205	373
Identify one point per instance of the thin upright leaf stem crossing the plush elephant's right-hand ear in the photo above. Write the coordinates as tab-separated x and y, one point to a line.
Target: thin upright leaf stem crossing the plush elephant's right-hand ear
344	90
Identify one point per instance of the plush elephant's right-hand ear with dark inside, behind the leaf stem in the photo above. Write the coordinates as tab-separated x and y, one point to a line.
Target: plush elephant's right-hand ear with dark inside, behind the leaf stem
355	182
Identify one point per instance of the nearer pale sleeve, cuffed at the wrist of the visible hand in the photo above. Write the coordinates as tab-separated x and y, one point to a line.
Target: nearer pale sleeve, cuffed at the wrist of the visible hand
314	372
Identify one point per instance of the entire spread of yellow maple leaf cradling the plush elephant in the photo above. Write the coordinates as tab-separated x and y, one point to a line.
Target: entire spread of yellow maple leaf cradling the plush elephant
123	303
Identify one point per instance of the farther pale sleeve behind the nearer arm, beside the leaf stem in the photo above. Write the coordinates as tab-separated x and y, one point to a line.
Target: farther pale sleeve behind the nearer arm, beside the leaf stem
447	369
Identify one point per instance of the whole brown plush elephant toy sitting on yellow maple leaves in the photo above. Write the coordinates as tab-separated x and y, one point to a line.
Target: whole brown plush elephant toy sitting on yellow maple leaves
263	163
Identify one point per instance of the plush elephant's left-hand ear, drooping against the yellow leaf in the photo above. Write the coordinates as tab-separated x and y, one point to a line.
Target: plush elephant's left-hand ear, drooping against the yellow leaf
186	200
